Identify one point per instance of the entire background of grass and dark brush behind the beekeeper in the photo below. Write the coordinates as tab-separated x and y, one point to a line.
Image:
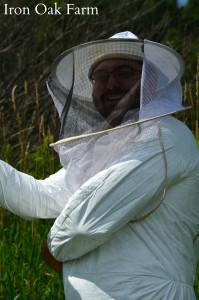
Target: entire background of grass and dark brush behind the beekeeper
29	122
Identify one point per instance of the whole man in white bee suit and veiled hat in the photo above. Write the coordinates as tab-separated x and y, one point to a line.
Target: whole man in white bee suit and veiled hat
126	200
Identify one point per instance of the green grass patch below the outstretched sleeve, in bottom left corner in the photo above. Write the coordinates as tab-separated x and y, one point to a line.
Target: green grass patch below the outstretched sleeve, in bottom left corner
23	274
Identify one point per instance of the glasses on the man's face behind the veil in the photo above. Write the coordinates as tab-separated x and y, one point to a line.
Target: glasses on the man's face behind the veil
120	73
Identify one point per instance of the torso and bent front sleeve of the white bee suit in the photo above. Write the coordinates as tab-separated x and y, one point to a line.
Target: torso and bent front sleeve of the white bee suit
110	248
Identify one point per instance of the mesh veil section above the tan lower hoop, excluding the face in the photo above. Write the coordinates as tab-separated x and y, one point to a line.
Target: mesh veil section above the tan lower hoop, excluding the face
69	80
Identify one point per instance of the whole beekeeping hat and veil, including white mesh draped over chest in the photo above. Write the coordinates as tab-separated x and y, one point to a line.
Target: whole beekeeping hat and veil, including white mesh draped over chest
71	88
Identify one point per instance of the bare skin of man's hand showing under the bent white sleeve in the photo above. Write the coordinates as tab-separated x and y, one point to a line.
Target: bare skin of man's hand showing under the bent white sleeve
49	259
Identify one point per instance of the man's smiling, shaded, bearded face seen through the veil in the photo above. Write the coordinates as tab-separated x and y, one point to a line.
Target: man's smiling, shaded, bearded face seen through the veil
112	80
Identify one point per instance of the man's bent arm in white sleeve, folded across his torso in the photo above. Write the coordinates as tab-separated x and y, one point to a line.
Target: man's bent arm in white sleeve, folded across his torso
125	192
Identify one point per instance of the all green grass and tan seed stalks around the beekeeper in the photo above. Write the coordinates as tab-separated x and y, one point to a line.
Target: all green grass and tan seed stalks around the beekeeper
23	274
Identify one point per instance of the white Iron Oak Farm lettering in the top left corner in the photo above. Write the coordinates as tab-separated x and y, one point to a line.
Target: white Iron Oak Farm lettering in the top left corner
42	9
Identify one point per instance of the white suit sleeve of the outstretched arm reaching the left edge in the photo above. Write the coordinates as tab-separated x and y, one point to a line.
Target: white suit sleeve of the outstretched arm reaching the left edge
28	197
